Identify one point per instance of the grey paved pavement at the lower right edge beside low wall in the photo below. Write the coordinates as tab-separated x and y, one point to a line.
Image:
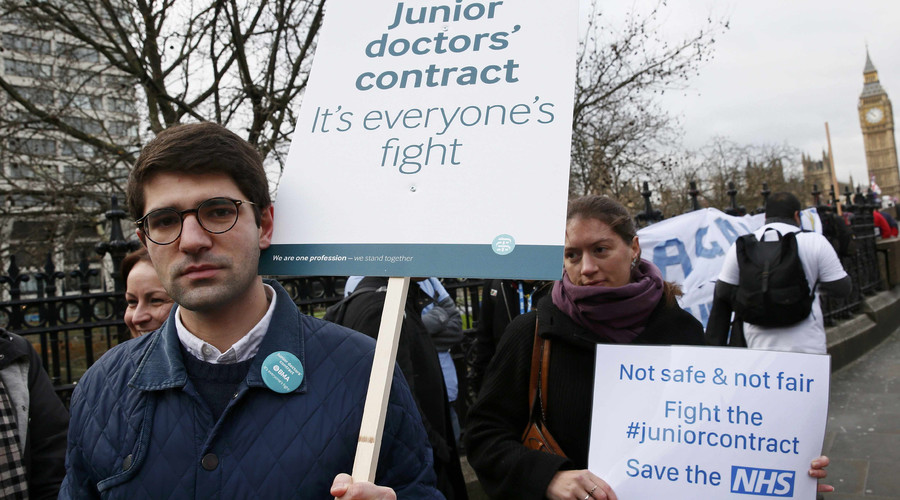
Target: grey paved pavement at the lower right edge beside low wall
862	437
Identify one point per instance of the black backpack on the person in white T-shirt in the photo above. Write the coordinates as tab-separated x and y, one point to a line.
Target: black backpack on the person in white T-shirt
773	290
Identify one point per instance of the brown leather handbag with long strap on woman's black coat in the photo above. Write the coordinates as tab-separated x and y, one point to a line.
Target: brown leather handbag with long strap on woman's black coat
536	435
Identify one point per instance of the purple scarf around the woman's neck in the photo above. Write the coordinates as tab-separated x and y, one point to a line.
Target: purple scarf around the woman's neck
616	314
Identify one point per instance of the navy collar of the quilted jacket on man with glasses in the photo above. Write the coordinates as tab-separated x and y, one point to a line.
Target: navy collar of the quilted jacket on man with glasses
161	367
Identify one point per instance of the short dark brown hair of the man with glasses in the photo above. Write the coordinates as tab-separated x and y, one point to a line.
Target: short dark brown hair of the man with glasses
200	148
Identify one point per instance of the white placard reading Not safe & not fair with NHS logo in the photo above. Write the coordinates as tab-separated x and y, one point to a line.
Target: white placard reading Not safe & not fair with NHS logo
683	423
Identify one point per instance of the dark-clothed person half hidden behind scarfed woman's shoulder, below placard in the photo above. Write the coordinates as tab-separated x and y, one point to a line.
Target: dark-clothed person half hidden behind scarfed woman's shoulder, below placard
501	301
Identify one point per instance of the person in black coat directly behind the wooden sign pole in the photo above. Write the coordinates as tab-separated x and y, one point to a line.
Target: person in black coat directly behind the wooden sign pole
418	360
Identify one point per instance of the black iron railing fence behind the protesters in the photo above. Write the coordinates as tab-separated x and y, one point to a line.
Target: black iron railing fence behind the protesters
72	330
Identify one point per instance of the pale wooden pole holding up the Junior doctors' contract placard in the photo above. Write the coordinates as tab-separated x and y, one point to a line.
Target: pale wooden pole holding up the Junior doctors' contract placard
369	445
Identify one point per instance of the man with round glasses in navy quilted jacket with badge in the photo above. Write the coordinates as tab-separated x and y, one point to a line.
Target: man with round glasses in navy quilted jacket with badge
237	395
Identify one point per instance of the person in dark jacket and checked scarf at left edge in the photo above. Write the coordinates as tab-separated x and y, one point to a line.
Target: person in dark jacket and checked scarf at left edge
33	424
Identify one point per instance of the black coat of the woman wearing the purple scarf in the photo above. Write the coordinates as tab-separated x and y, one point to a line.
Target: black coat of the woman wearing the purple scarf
495	423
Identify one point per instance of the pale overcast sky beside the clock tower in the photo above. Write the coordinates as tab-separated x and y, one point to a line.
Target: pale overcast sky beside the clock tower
782	70
